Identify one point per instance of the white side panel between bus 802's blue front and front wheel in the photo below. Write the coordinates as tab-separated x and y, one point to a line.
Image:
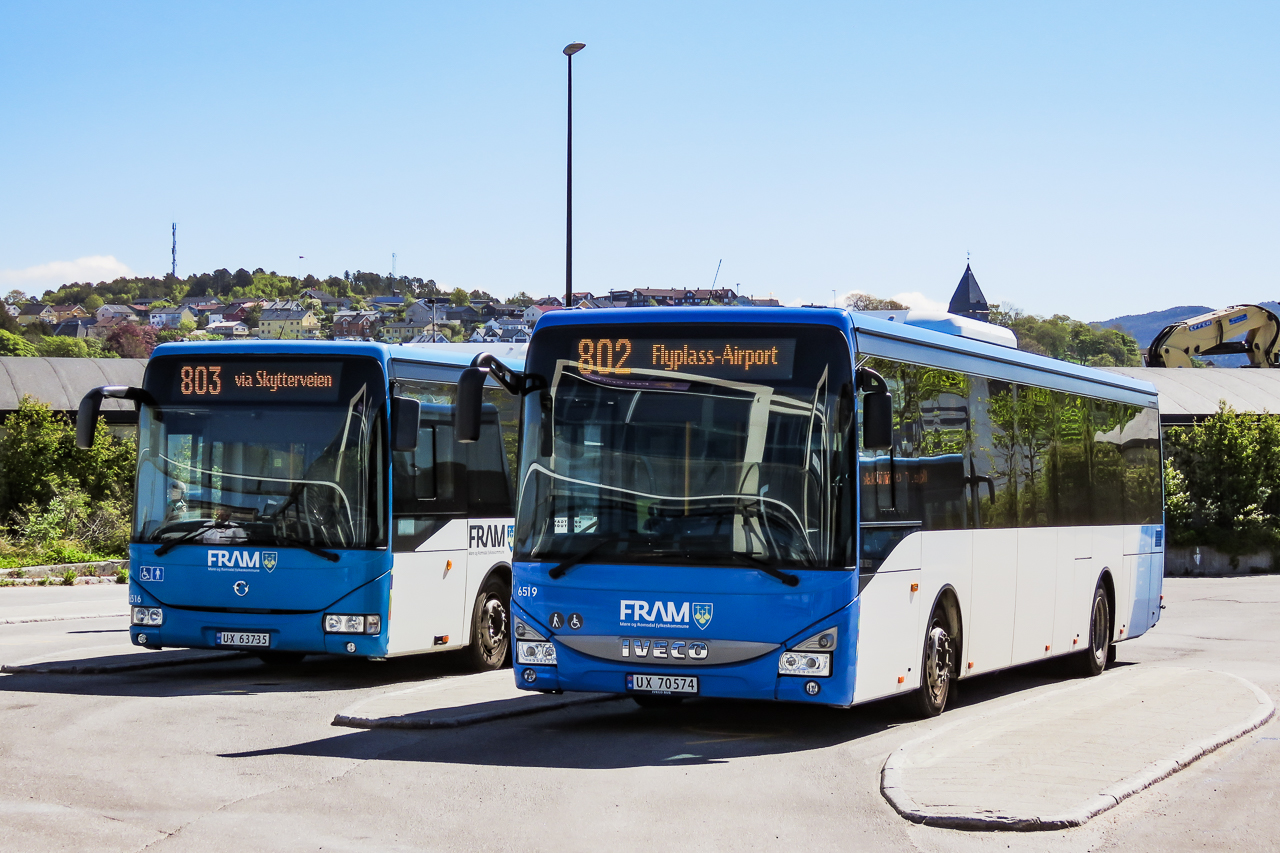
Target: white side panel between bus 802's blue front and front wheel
888	609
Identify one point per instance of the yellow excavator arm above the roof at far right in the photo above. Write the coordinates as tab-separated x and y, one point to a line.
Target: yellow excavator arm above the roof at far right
1214	334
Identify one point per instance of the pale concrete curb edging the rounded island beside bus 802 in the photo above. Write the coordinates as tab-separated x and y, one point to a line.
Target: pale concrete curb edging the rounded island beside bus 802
892	776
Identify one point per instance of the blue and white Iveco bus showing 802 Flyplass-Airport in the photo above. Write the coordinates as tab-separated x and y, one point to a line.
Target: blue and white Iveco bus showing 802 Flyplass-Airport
821	507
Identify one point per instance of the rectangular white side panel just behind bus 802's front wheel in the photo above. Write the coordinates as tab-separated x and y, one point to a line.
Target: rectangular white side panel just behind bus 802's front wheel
995	591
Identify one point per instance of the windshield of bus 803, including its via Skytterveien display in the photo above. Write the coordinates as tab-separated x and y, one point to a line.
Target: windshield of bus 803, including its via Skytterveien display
252	451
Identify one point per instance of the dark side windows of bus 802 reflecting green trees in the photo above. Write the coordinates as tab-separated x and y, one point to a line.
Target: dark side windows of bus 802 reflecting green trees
971	451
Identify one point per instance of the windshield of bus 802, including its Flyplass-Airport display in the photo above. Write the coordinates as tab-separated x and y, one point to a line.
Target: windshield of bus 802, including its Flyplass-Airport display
688	446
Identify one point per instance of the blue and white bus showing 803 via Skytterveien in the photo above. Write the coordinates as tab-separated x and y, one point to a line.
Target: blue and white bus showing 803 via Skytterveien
308	498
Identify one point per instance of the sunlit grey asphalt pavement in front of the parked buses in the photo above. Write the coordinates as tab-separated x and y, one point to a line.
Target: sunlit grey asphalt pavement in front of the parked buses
234	755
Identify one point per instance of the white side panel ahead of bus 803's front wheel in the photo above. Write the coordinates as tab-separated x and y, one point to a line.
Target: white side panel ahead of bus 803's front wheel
428	594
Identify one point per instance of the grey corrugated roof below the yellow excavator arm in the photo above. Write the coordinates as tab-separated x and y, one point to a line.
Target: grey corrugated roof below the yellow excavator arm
1190	394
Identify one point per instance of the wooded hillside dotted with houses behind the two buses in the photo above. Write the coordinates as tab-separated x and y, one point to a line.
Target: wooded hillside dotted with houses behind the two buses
130	317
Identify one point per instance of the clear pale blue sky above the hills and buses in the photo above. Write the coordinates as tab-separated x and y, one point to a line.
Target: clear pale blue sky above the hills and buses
1096	158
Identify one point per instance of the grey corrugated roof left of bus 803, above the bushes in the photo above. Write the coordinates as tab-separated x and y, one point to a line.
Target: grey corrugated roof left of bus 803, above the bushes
63	382
